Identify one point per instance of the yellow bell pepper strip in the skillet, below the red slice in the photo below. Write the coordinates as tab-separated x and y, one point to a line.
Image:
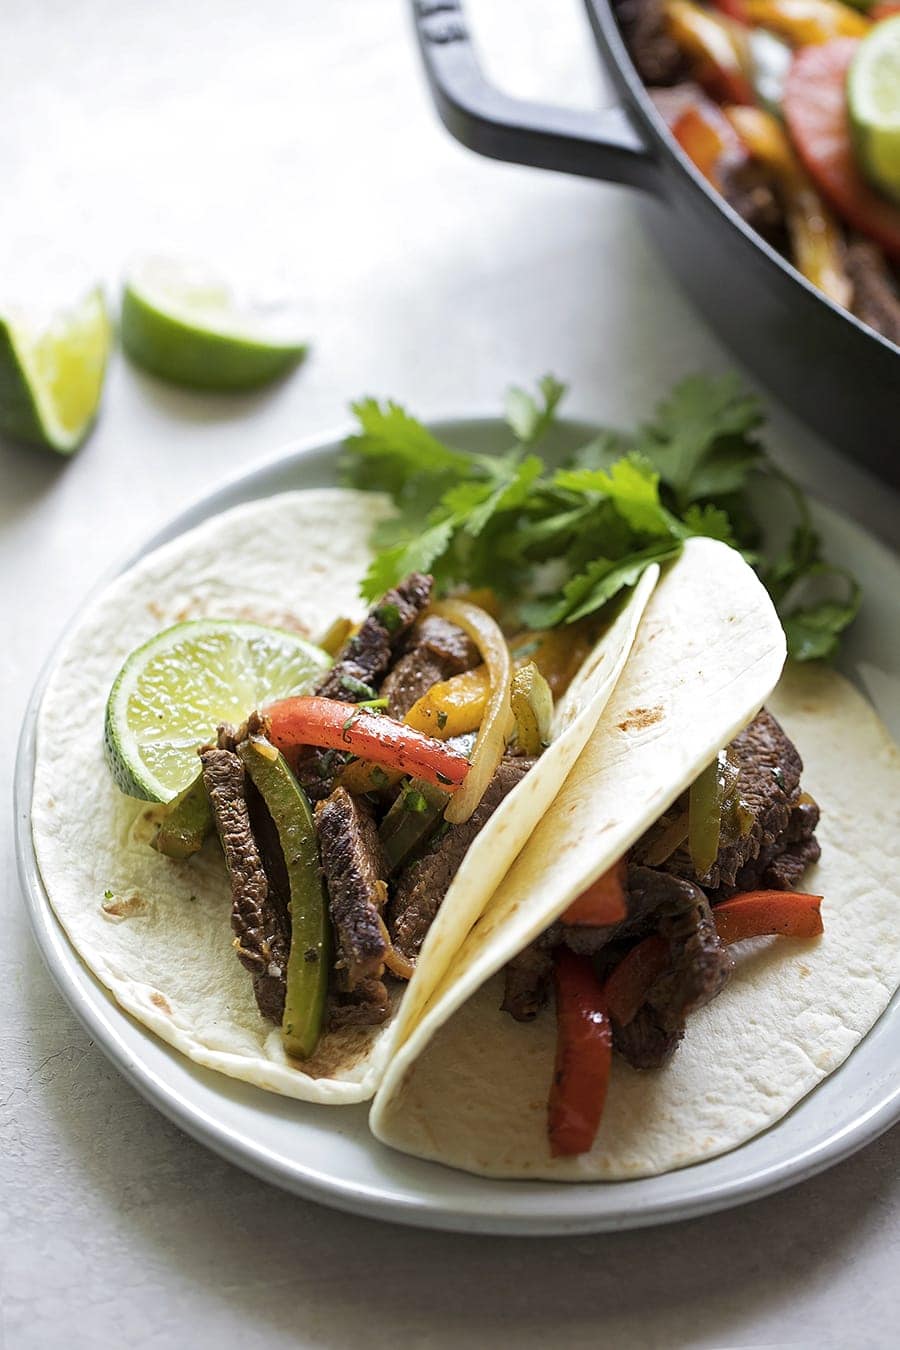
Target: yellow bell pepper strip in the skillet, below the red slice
817	244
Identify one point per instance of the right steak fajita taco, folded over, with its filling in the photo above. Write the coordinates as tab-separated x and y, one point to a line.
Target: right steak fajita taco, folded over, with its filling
697	934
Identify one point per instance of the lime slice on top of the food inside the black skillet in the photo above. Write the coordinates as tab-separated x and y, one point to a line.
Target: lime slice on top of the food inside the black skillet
874	98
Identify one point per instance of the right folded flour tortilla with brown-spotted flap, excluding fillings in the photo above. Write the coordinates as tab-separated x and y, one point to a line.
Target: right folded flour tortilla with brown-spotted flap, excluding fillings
469	1086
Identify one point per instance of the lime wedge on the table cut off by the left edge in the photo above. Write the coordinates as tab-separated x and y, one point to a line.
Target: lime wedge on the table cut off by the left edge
52	376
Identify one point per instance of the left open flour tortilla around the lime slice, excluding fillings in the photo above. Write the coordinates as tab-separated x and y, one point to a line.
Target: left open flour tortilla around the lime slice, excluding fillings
159	934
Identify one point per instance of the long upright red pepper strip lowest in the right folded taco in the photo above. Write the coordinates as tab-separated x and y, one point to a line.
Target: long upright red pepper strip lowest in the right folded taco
584	1056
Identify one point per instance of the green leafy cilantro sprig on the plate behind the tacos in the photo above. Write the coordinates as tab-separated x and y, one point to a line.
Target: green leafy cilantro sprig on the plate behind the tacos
561	541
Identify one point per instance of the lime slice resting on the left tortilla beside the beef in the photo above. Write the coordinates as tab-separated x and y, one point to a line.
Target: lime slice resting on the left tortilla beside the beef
173	692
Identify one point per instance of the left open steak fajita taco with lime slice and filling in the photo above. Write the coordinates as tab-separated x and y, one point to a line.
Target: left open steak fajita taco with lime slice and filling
334	836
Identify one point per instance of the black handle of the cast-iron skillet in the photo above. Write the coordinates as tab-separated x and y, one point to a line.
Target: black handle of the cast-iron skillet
592	145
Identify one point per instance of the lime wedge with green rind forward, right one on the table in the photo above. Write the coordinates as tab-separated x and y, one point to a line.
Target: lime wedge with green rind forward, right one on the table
184	325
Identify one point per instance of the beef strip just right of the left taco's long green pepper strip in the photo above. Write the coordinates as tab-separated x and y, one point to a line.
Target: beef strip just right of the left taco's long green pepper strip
354	871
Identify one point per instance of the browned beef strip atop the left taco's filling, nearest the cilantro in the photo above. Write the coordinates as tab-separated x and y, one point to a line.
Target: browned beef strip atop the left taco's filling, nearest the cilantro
368	655
